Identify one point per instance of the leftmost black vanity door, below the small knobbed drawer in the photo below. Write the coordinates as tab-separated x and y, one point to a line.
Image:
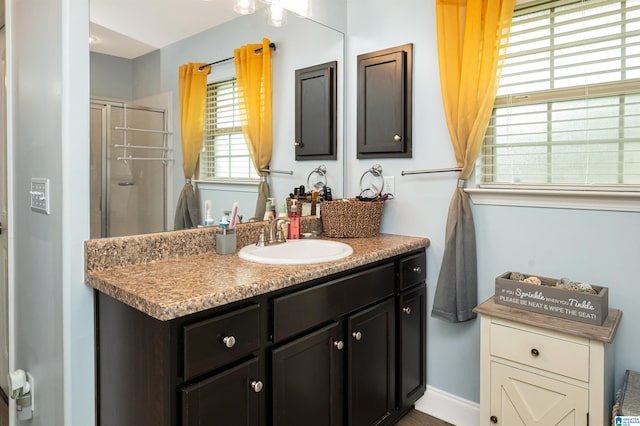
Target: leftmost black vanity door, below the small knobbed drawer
229	398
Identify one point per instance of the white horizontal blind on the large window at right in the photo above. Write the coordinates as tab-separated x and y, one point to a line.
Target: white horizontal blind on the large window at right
568	106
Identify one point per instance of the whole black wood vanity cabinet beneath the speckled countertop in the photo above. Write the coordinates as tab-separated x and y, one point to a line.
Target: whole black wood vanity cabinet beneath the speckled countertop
347	349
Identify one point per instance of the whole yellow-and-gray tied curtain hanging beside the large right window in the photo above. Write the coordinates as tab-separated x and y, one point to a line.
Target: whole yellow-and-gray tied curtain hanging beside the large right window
472	39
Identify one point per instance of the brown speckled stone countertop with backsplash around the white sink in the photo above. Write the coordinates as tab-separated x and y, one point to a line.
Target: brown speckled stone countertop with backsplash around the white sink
173	274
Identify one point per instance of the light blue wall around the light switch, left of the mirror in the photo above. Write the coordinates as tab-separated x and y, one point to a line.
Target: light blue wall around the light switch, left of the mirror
48	130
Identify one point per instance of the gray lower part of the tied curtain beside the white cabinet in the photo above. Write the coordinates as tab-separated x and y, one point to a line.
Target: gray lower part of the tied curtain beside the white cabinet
457	293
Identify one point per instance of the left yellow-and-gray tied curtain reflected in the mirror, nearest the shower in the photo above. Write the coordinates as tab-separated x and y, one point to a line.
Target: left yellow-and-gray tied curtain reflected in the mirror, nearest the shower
192	89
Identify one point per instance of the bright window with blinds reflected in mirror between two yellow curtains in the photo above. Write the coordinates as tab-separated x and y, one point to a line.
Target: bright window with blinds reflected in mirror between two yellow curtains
224	155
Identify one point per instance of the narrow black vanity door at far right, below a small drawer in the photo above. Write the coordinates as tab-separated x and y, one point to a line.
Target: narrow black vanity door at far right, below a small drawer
412	318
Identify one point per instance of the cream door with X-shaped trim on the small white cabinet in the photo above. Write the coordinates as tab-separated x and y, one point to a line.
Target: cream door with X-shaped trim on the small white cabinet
520	397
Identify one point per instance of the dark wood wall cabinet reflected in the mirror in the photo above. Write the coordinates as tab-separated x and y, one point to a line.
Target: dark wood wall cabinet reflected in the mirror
316	126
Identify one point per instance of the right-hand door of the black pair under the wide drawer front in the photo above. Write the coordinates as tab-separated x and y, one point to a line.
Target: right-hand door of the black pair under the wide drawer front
371	366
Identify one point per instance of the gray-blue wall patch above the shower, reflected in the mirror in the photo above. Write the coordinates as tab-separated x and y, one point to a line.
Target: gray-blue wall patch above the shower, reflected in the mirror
111	77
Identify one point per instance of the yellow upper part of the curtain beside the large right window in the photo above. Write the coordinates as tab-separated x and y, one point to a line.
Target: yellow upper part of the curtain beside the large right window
472	40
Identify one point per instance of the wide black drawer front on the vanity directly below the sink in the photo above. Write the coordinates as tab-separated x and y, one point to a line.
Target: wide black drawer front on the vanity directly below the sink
314	306
